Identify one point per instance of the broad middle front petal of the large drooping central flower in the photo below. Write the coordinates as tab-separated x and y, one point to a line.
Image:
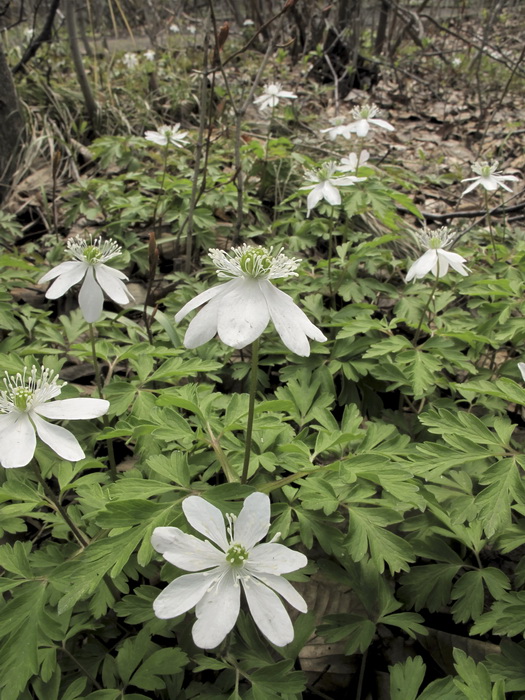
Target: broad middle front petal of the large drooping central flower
243	315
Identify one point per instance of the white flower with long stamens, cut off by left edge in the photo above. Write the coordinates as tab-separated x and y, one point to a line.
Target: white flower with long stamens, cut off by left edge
25	402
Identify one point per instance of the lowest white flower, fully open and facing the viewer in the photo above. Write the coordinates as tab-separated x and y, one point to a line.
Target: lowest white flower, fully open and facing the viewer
231	560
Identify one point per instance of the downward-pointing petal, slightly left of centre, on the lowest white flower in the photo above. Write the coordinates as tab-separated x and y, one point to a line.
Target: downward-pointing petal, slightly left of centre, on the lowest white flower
217	612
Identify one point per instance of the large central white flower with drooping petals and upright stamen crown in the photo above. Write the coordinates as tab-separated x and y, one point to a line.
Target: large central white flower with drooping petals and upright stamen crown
240	309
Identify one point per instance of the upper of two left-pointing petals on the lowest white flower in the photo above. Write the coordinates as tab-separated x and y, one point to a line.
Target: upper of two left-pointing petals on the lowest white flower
185	551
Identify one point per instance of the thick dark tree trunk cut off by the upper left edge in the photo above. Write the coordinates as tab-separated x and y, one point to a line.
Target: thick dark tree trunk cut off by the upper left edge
11	127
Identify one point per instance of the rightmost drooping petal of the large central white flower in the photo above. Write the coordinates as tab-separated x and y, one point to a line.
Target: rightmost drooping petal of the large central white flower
290	322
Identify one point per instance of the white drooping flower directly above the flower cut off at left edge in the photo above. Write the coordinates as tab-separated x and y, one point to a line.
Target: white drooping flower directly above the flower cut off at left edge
90	256
